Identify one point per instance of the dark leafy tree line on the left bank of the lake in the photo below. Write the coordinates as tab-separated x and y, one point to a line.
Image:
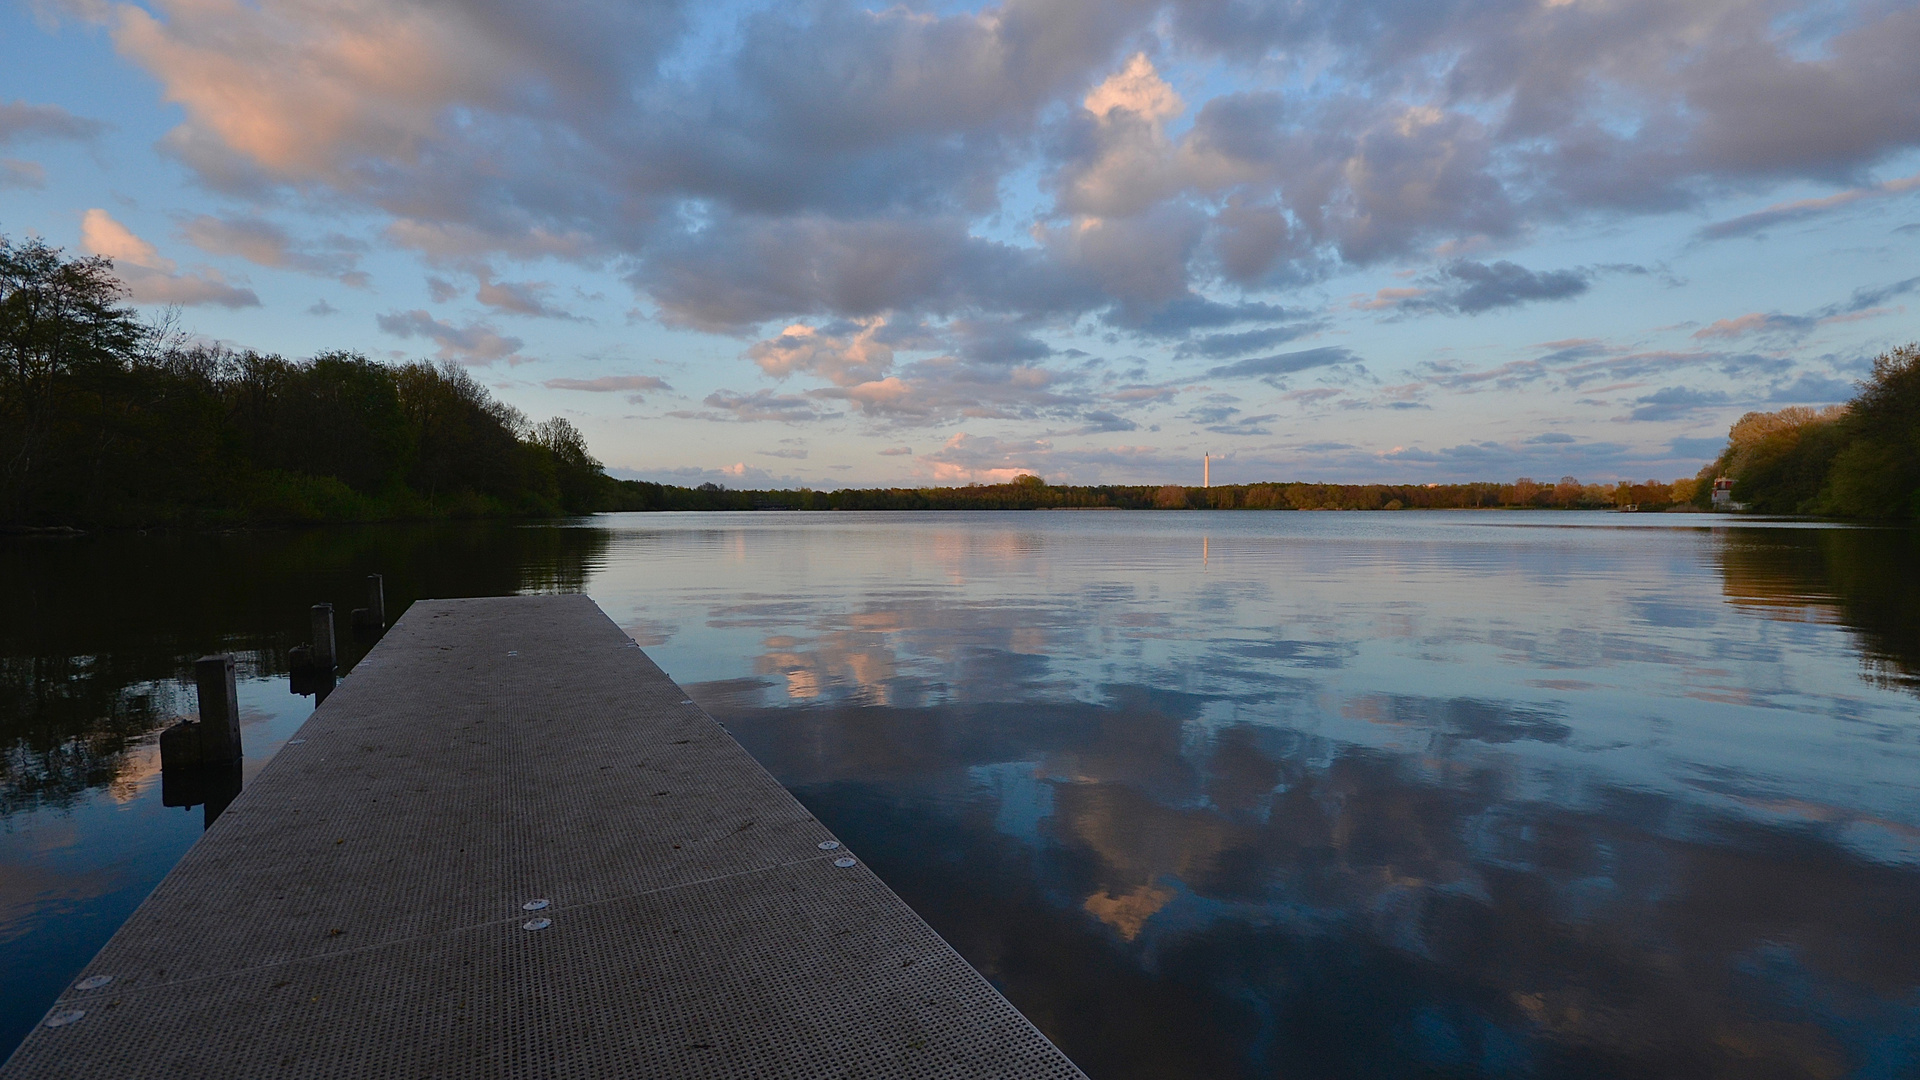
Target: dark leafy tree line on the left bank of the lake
107	420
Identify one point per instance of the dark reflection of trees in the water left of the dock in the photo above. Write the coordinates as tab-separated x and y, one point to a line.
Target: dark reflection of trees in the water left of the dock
101	633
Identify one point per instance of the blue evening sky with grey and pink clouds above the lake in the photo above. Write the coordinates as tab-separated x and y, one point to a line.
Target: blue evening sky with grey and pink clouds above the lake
838	245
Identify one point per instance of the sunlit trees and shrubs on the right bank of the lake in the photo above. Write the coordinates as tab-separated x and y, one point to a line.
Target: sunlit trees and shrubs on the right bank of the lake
1858	460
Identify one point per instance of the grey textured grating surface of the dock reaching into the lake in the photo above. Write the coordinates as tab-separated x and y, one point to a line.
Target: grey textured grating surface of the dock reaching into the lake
358	910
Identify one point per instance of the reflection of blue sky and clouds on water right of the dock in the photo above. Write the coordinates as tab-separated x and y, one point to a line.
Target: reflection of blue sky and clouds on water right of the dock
1356	798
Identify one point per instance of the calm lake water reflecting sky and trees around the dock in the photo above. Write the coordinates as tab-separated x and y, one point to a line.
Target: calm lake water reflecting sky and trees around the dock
1205	795
